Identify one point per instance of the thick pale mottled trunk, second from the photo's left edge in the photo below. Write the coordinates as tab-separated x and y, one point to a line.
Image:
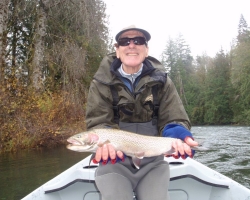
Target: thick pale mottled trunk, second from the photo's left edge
39	47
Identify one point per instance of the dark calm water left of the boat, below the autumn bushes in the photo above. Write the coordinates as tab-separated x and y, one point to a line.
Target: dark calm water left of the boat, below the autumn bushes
24	171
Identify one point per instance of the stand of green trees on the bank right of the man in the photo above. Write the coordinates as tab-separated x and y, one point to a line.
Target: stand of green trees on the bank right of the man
213	90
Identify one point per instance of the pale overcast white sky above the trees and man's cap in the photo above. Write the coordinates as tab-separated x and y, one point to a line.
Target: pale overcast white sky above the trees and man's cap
206	26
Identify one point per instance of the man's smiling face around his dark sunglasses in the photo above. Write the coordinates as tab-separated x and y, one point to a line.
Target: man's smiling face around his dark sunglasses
132	55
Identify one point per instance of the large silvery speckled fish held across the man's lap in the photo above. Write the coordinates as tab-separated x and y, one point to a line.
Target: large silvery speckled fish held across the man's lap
135	145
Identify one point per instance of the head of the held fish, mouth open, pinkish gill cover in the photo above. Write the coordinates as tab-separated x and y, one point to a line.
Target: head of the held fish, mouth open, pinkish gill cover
83	142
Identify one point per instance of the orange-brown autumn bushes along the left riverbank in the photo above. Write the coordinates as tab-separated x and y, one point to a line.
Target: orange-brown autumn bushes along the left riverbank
38	120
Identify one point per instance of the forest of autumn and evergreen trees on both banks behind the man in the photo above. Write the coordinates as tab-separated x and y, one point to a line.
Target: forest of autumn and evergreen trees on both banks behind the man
50	50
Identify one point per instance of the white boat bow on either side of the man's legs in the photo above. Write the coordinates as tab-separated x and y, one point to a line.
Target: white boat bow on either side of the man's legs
189	180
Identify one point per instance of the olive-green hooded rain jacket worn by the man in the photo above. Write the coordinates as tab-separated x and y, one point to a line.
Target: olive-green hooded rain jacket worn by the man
135	104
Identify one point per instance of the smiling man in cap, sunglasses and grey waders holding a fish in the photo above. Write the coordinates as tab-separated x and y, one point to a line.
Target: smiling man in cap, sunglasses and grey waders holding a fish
132	92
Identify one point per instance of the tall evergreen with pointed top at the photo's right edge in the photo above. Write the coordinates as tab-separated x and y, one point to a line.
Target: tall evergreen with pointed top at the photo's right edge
240	75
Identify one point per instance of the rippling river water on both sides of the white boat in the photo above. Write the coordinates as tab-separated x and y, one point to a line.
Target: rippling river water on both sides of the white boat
24	171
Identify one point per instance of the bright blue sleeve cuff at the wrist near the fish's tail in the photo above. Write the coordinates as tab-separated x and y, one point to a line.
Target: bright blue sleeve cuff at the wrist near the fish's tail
176	131
